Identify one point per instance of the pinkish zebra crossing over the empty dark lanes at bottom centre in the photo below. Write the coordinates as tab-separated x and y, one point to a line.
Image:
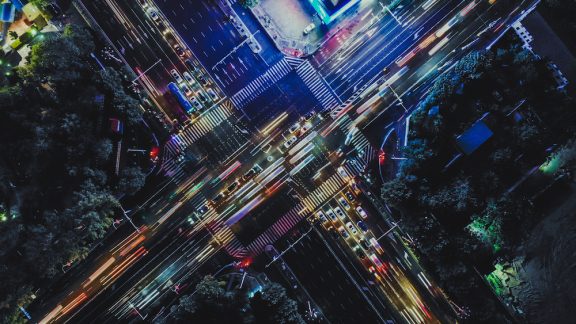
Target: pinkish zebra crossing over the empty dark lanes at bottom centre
277	230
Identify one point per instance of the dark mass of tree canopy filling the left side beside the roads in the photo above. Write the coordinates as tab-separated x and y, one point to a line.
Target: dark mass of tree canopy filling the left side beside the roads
56	160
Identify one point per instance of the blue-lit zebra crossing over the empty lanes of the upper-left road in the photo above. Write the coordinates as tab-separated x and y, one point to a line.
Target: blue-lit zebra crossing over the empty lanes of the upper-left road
261	84
